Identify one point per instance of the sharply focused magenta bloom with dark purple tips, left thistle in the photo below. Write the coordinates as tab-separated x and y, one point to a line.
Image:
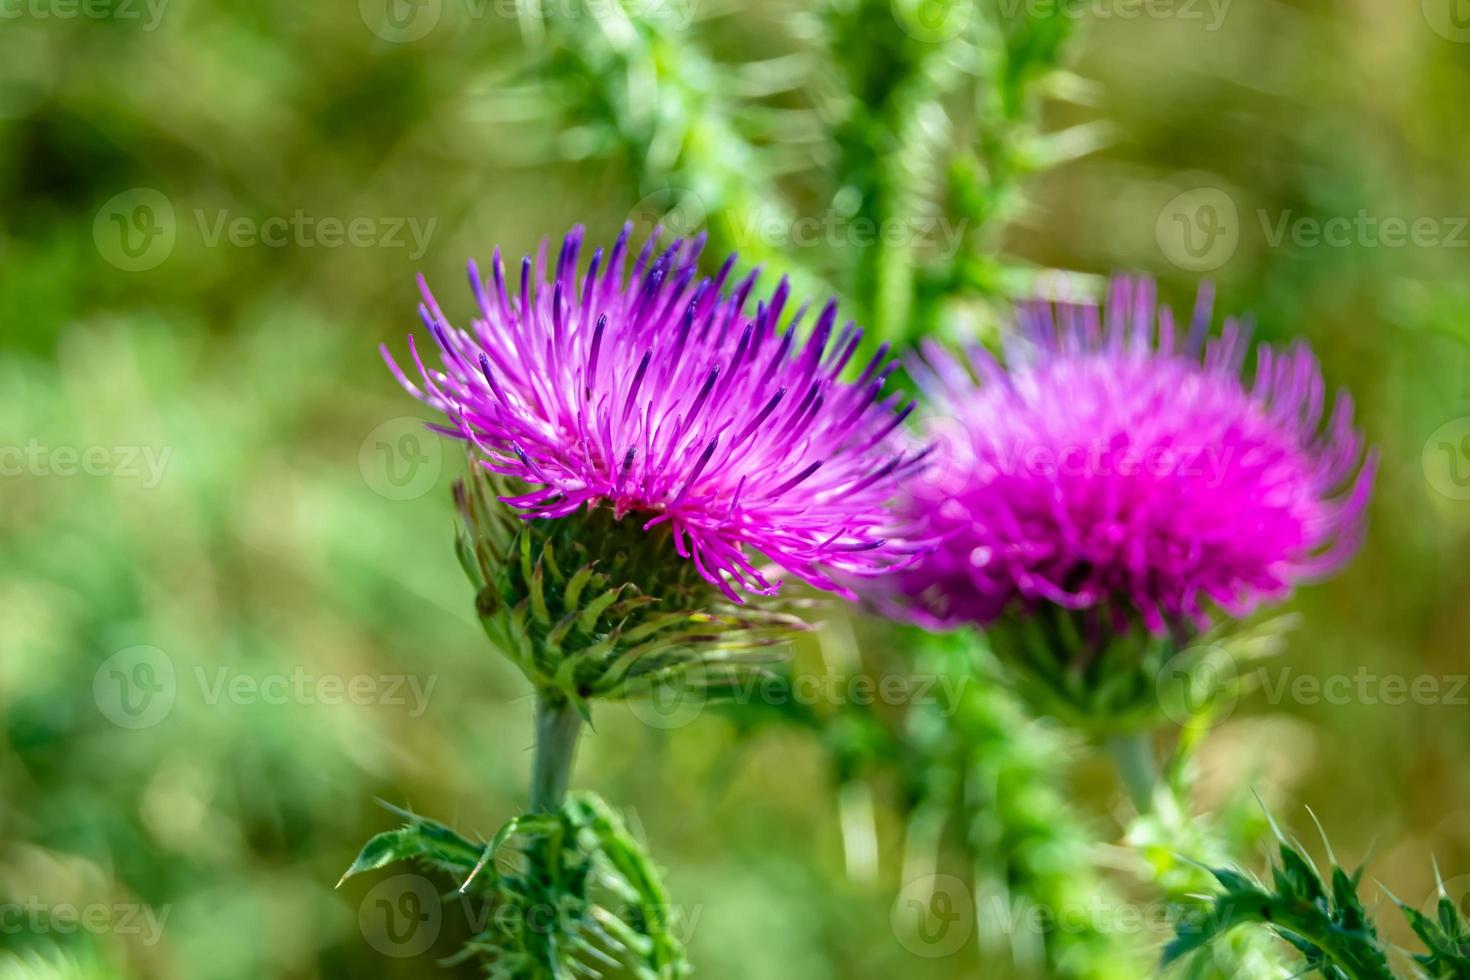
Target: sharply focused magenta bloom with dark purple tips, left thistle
659	397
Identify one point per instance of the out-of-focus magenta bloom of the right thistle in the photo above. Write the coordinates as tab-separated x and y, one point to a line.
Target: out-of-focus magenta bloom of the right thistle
1119	468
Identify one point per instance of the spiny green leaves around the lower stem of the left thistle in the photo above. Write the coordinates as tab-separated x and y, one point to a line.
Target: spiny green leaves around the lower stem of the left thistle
555	896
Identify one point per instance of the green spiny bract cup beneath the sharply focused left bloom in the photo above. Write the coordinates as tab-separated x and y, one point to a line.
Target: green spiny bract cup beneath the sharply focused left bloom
593	606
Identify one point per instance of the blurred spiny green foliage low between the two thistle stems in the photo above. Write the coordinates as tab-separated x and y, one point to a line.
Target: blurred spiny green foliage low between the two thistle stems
978	785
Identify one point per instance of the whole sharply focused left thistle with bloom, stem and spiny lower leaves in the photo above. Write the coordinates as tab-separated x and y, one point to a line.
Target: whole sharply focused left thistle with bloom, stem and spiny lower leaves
646	458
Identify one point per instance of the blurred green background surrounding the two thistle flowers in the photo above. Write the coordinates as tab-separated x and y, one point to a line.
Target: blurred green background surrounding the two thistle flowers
232	616
